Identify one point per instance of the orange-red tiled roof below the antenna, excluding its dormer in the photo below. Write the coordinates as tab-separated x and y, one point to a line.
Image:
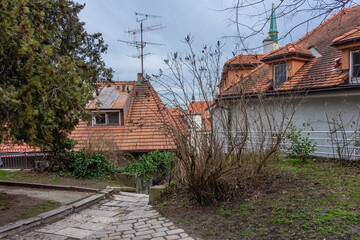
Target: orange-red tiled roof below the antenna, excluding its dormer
145	128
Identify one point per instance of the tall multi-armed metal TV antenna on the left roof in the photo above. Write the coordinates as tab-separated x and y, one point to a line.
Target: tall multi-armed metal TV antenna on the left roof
140	18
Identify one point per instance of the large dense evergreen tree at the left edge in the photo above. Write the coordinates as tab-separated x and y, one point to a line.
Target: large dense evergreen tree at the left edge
49	67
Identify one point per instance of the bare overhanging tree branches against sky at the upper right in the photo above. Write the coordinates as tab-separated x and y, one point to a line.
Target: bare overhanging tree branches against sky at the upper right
257	15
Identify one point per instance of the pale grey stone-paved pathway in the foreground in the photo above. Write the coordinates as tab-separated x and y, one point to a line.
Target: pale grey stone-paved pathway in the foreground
125	216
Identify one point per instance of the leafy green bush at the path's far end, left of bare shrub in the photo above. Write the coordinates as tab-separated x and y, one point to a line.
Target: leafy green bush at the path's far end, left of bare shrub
150	164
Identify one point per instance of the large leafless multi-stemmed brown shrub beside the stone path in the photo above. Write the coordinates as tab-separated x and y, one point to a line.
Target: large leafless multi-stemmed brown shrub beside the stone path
246	132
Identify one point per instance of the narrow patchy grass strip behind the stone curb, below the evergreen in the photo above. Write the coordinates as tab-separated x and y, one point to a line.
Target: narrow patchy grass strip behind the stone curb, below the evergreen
54	178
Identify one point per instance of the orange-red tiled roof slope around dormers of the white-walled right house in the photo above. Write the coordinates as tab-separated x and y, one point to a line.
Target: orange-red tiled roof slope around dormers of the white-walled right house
318	72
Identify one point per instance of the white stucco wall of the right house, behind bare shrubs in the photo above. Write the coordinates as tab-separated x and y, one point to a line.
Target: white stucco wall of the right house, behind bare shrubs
311	116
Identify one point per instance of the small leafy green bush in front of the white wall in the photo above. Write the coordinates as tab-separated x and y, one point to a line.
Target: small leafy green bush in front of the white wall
299	145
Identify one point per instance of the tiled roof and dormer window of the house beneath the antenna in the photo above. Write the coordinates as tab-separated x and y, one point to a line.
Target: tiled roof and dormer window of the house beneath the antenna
127	117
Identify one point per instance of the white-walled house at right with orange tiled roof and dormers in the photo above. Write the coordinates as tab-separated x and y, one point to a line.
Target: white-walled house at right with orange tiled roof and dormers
320	73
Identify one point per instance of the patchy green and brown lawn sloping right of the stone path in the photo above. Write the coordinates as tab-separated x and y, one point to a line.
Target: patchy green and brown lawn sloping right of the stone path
313	200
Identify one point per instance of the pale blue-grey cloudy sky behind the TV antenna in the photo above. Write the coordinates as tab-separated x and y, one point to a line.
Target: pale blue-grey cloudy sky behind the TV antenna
202	19
